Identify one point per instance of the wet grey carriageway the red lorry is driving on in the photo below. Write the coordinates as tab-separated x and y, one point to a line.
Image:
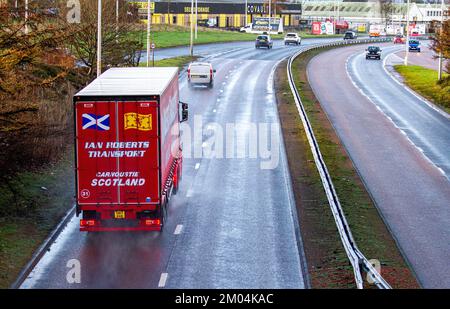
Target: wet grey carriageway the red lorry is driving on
232	224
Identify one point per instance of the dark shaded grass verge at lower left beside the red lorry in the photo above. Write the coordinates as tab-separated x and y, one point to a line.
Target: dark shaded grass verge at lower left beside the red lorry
44	196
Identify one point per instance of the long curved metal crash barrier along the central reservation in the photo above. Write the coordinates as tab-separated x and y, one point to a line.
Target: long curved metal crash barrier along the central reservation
357	259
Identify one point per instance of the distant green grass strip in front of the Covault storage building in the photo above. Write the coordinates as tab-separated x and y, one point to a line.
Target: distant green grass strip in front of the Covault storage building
172	36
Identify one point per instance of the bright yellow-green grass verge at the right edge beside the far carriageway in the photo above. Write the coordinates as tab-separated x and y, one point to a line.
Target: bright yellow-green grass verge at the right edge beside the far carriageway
424	81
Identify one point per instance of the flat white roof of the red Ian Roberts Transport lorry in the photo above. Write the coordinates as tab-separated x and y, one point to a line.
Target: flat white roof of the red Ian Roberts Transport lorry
130	82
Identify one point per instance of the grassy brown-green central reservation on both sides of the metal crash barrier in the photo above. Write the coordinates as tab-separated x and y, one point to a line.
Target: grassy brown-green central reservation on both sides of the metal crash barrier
327	262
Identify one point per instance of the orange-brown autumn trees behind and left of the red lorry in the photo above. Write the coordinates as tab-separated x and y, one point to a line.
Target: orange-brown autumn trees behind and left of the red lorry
41	69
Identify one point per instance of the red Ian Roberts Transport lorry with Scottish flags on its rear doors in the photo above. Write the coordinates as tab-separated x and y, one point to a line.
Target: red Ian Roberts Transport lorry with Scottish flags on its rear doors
127	149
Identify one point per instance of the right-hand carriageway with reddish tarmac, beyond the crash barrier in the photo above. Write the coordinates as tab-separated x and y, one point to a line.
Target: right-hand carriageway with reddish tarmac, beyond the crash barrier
401	148
